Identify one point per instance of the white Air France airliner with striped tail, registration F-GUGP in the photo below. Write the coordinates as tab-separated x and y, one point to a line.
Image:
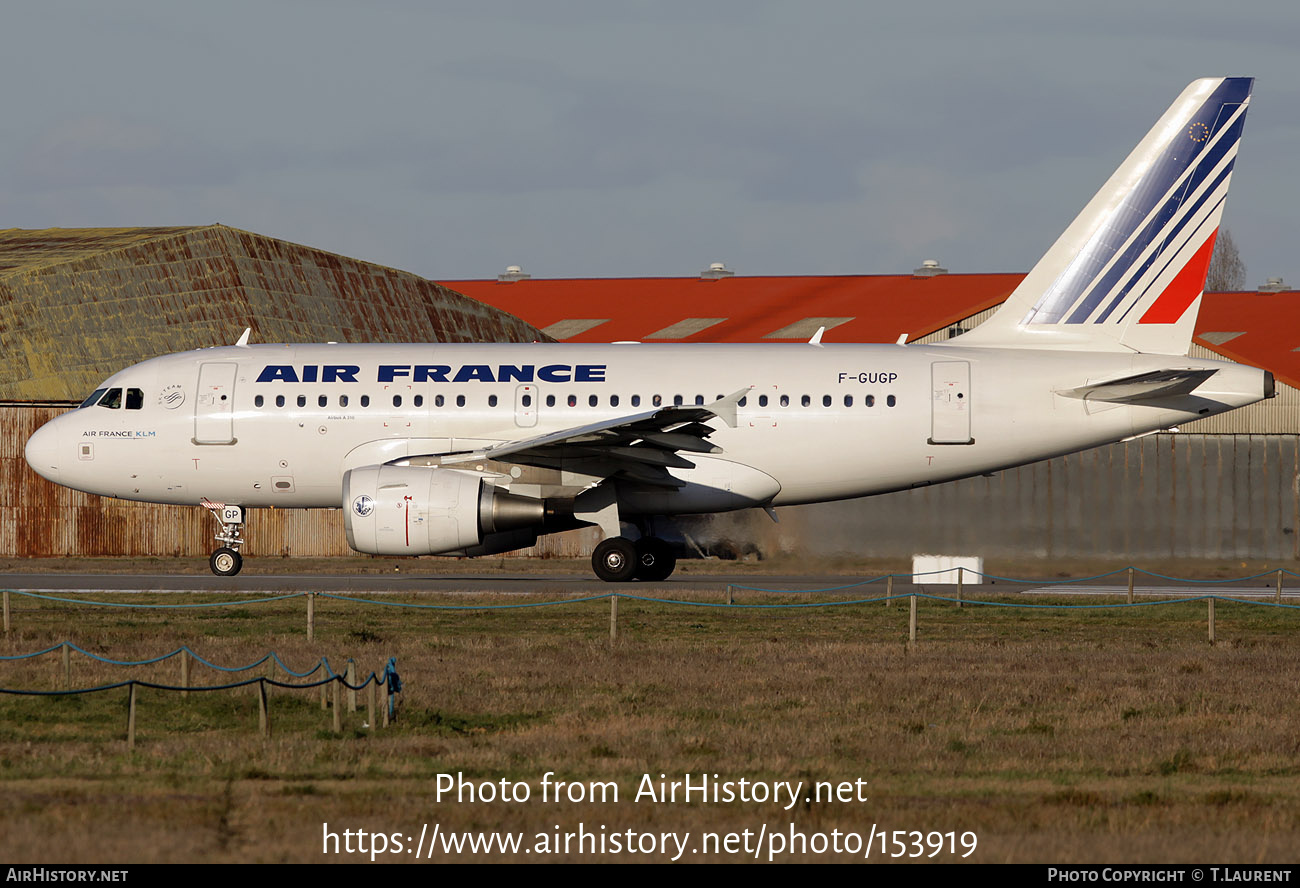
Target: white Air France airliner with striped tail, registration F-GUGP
479	449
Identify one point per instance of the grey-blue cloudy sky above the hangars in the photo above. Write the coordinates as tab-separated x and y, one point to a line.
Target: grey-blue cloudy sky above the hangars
606	138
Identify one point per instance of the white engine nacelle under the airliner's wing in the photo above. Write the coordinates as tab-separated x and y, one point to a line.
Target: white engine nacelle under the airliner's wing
409	510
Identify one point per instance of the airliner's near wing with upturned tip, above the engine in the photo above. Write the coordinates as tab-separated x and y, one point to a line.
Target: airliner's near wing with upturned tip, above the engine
642	447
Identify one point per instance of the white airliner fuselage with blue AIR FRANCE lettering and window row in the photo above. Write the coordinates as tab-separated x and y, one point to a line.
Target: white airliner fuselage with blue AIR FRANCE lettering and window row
839	422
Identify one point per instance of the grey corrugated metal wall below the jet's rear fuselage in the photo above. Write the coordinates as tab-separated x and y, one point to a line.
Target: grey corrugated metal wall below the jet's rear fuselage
1168	496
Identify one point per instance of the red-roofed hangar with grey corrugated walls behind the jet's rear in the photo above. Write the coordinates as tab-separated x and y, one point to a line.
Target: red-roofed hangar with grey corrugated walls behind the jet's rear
1223	488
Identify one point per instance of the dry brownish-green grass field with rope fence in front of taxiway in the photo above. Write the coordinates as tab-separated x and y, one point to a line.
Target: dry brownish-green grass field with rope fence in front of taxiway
1054	737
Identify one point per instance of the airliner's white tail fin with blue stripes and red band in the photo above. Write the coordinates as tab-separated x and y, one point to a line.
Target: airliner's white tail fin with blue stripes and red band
1129	272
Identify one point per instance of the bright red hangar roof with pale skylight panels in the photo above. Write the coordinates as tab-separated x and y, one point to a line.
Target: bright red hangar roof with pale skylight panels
1255	328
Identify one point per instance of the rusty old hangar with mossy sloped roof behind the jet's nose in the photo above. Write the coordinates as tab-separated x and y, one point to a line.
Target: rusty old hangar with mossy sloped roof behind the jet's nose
80	305
